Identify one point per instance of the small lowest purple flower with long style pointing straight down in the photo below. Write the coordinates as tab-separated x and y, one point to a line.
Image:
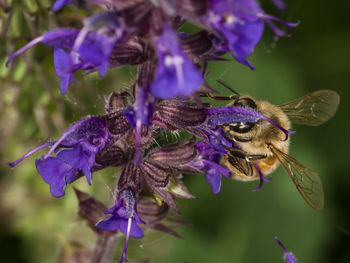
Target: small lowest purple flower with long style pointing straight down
123	217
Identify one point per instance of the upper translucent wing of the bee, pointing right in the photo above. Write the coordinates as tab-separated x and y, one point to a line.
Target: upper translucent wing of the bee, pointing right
312	109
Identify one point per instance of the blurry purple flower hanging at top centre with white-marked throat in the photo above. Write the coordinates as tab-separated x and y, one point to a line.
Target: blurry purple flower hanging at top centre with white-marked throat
176	75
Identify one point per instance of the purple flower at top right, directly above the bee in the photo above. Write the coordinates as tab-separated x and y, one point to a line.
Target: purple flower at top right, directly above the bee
241	22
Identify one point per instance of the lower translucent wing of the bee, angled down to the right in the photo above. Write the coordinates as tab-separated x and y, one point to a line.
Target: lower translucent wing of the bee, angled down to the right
306	181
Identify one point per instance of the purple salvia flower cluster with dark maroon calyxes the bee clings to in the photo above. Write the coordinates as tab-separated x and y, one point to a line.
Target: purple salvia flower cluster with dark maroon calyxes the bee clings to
166	97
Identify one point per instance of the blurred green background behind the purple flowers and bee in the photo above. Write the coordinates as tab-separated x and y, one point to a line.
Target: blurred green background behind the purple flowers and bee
235	226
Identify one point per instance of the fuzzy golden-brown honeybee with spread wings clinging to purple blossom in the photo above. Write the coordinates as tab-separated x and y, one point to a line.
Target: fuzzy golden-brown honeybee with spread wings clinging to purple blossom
259	148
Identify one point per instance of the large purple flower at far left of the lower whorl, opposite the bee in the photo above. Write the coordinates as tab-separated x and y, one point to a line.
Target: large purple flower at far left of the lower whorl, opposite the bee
81	143
